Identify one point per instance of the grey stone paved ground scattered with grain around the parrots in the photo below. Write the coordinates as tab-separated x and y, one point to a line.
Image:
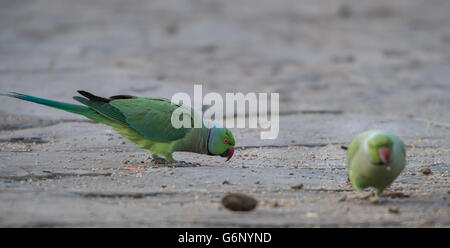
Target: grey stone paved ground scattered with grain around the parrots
340	67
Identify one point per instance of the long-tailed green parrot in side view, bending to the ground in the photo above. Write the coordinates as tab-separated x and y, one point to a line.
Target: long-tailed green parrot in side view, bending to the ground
147	122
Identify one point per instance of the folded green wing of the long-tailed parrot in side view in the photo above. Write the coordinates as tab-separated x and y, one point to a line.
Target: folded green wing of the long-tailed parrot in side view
151	117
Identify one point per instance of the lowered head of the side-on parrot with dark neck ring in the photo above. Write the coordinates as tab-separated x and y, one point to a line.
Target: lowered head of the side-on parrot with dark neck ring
220	142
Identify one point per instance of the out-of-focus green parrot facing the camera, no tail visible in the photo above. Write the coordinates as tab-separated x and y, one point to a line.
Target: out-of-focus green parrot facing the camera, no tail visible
374	159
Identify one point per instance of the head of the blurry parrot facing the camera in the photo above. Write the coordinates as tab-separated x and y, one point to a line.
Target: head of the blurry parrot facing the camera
379	149
